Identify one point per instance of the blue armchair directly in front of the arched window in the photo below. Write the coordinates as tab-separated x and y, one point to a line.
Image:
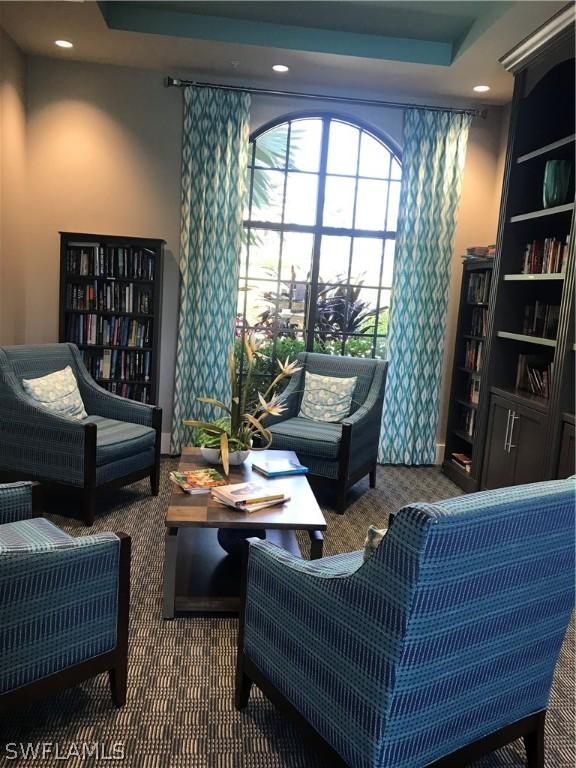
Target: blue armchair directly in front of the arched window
338	453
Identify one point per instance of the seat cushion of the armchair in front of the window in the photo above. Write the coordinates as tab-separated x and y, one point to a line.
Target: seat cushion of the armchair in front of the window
314	438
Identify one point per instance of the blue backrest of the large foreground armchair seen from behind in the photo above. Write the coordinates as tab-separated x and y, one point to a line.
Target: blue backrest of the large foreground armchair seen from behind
478	595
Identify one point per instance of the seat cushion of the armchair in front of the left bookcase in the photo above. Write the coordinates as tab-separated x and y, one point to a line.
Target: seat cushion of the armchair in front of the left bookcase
116	440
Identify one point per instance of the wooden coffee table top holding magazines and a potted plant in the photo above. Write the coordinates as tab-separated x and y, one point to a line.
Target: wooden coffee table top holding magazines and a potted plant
301	512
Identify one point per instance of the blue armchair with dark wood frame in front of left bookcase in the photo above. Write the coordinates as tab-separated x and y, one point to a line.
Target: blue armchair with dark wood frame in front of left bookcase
117	444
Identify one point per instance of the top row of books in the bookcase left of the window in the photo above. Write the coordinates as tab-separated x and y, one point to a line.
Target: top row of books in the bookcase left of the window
94	259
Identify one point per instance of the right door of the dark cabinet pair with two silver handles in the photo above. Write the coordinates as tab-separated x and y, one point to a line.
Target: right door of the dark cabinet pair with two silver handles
527	443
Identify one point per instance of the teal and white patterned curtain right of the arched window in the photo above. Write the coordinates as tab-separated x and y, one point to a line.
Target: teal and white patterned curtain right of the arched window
434	148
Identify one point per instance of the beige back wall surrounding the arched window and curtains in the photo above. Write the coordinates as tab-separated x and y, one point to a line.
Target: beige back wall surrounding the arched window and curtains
103	146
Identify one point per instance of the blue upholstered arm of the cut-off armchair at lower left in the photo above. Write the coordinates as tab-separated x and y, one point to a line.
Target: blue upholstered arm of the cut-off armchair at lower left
60	602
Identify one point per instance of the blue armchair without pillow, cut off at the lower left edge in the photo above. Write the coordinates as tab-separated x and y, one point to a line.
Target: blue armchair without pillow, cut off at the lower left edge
63	601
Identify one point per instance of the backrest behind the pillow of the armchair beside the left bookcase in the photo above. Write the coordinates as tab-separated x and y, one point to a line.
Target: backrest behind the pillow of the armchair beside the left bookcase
32	361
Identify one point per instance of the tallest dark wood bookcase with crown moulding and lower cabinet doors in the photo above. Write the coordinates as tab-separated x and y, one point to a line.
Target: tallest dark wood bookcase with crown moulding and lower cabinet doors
525	420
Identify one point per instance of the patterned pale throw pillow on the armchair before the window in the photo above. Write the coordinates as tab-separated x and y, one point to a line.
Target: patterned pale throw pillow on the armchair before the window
327	398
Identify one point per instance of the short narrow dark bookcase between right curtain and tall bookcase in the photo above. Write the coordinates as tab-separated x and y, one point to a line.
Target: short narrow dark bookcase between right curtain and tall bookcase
468	379
